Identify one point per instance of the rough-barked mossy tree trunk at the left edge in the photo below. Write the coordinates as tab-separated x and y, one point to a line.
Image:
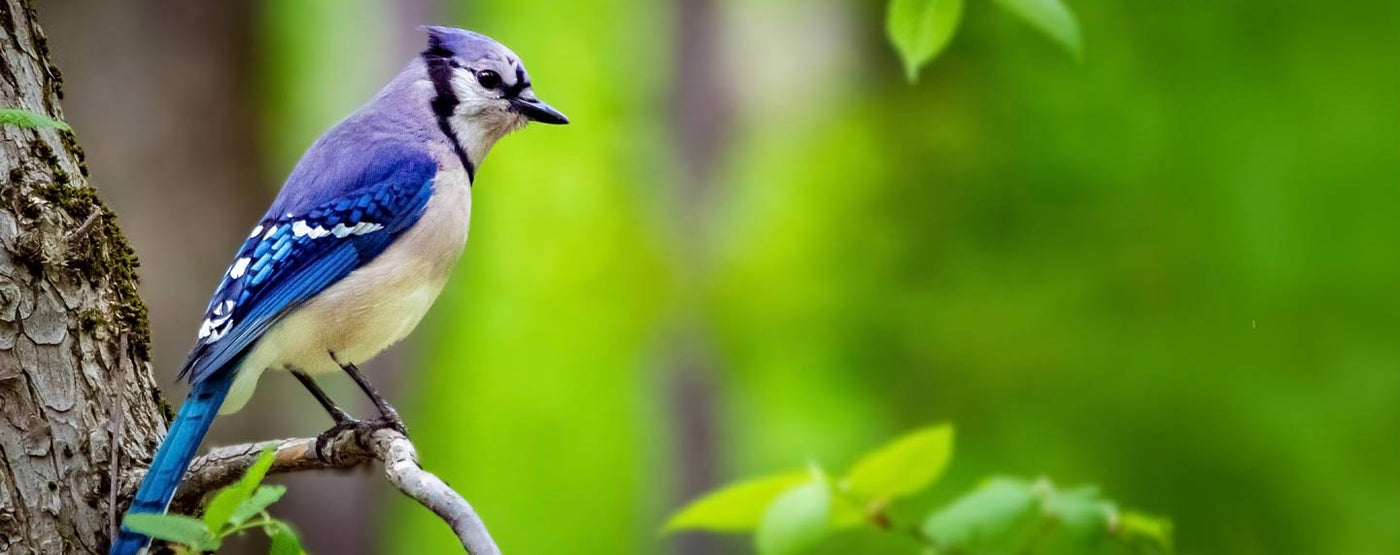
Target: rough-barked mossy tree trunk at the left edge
75	368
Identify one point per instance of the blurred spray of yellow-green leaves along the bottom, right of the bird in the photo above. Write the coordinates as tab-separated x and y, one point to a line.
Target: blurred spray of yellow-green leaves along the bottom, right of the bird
810	512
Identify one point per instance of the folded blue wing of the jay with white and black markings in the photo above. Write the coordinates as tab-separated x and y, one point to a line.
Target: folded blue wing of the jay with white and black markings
316	235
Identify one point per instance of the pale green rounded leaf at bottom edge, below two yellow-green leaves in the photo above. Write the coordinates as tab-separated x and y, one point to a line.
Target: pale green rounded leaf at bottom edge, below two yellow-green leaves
797	521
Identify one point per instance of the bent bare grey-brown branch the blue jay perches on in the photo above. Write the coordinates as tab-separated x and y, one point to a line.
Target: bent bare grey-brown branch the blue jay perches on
225	466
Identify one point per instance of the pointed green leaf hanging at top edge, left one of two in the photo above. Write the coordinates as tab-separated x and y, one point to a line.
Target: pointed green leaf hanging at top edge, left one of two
920	30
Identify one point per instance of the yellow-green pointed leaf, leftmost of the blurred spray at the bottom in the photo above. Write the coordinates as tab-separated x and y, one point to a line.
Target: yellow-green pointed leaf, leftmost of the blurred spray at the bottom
736	508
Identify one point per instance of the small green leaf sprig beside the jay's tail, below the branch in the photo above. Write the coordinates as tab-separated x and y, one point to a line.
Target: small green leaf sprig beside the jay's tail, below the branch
233	511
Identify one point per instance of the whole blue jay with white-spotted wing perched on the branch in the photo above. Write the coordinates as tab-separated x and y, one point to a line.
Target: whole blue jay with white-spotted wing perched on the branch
356	247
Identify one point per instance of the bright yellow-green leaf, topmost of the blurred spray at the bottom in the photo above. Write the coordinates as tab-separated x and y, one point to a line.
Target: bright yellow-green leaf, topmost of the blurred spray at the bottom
904	466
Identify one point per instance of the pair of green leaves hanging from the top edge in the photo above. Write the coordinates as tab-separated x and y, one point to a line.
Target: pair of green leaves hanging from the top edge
922	29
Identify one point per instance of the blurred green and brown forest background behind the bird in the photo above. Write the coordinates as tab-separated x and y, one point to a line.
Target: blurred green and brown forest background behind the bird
1170	270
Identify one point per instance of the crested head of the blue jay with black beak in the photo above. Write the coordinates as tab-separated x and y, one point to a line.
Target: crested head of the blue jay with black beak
482	83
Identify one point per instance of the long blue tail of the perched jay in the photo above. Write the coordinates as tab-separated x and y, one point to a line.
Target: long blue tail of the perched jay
173	459
